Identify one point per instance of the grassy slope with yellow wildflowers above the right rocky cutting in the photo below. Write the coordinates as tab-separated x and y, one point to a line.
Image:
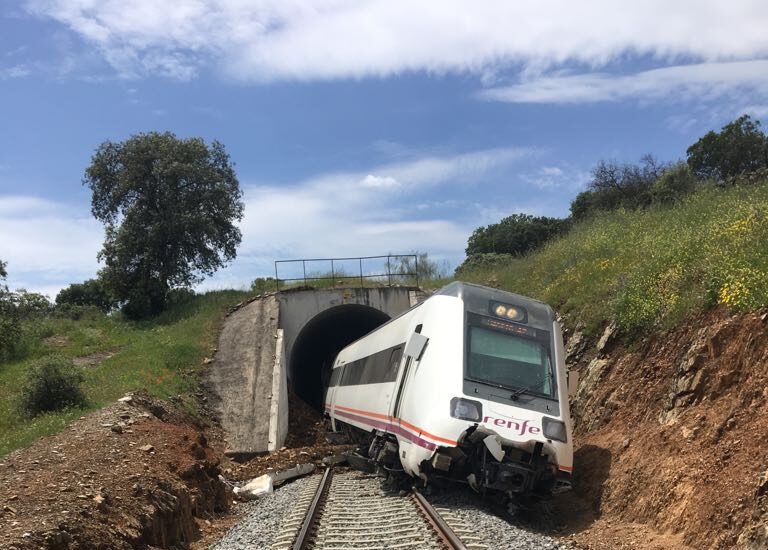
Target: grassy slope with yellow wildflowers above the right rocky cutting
648	269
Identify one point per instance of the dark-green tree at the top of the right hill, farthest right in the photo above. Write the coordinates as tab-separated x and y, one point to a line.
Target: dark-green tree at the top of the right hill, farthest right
740	147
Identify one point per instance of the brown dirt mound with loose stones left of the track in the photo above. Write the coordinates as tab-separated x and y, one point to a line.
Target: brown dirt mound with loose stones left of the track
136	474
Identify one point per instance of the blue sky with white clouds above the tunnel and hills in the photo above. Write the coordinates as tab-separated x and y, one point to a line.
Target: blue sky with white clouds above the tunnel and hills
358	127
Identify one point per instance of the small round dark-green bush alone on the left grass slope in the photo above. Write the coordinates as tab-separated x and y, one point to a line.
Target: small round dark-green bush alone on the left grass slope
51	384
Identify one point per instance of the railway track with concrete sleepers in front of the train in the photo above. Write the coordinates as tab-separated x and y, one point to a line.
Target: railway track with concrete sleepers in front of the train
349	511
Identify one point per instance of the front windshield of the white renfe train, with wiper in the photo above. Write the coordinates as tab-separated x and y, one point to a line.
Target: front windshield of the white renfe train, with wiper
503	359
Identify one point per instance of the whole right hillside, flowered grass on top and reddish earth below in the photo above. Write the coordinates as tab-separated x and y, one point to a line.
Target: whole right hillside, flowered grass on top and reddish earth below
665	316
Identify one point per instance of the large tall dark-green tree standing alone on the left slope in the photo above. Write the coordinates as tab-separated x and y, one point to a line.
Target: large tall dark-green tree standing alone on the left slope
169	207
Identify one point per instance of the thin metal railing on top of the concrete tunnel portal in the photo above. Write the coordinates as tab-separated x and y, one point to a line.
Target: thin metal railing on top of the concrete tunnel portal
377	271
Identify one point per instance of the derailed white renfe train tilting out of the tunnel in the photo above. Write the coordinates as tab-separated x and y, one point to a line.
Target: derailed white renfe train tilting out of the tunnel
469	385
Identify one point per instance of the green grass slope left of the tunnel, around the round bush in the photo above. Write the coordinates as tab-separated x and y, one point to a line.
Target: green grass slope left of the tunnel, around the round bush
162	357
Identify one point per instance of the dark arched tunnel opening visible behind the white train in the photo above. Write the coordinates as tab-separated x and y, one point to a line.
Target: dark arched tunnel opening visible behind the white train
320	340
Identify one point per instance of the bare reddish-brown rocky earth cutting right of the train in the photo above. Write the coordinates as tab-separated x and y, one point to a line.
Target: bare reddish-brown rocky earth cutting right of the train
673	434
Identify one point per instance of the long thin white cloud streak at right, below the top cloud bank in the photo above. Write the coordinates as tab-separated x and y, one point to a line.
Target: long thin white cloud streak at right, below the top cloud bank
699	81
